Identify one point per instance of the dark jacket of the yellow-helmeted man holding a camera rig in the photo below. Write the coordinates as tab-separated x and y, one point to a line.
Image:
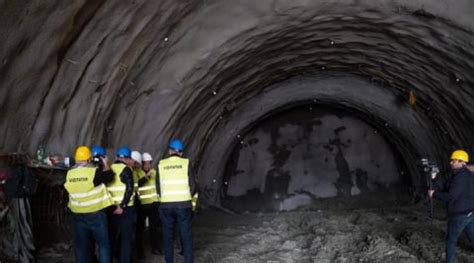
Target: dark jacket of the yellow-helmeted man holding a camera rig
458	192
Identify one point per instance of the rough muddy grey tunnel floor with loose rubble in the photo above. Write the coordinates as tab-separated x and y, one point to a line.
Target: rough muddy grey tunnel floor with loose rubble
389	234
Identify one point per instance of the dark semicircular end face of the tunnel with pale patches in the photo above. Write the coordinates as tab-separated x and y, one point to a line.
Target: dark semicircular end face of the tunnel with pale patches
314	156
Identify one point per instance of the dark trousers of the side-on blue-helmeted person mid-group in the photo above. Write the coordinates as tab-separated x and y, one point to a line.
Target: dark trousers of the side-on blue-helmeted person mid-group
122	233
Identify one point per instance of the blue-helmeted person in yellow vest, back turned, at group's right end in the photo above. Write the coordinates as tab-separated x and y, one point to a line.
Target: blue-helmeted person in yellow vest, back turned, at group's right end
176	187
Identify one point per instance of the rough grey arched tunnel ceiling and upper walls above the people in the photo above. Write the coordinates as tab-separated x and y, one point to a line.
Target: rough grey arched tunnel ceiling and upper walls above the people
139	72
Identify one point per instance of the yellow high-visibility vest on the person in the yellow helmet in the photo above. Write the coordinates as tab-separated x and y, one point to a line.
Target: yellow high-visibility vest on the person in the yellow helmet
84	197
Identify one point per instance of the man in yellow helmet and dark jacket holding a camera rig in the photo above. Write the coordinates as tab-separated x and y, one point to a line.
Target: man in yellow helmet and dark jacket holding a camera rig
458	194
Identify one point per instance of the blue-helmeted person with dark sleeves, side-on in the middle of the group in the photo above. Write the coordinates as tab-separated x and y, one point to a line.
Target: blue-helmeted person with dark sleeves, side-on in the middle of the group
122	216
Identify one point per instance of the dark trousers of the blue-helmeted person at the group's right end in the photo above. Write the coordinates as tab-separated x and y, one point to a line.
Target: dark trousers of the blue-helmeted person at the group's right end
182	217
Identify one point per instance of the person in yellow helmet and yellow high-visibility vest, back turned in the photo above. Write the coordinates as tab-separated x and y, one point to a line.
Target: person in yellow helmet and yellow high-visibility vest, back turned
88	198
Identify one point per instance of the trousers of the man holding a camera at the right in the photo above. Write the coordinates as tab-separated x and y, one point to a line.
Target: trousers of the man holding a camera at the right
456	225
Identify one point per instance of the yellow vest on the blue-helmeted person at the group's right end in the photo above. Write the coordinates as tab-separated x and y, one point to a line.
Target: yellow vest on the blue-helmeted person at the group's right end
174	180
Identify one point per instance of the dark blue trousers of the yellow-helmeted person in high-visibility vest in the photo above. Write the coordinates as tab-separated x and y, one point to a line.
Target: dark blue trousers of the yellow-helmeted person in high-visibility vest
87	228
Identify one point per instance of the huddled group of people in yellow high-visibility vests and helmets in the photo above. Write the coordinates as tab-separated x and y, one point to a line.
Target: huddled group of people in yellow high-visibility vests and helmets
110	203
